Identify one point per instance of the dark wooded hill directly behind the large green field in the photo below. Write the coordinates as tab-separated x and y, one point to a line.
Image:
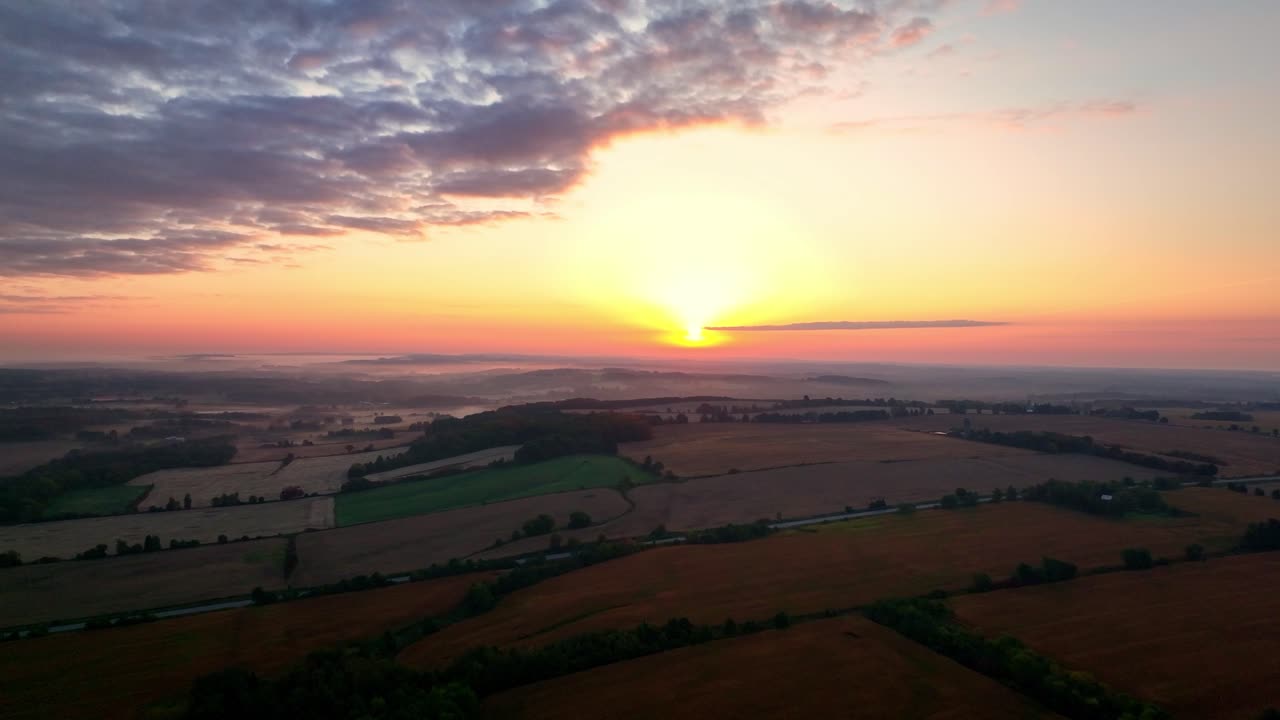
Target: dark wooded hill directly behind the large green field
541	434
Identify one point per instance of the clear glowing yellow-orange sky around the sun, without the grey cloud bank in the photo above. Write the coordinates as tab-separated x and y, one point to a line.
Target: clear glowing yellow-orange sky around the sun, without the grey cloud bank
1072	183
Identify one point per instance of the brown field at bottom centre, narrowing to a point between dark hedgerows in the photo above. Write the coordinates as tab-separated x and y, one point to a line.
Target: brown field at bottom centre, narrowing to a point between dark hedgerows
839	668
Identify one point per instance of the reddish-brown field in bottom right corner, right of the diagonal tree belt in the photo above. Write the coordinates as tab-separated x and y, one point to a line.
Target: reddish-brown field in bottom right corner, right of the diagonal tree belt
1199	639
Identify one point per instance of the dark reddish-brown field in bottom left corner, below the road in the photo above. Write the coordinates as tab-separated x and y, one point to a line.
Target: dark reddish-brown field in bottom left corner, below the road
112	675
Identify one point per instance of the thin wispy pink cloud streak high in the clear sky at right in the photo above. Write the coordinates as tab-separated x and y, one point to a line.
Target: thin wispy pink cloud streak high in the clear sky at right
1007	119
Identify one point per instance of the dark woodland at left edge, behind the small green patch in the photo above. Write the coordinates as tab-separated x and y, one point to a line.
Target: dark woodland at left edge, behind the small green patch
26	498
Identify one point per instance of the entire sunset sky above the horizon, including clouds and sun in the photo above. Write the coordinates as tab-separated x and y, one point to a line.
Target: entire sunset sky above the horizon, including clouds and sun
927	181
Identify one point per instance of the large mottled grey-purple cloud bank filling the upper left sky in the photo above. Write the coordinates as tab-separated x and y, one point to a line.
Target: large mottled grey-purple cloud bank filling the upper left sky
130	130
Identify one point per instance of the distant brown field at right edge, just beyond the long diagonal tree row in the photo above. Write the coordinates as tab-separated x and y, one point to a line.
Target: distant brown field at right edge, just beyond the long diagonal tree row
1246	454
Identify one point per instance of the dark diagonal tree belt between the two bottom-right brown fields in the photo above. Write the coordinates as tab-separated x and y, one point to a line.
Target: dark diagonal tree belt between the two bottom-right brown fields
1008	660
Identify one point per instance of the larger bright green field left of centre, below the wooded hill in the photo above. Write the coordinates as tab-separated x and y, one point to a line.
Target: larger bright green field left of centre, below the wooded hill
419	498
